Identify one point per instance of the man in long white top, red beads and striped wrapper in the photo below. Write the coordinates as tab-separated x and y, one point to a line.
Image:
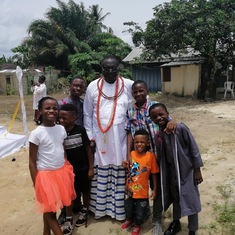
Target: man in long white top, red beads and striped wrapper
106	101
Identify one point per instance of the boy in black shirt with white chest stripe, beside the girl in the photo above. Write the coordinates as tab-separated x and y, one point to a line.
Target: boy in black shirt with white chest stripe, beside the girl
79	154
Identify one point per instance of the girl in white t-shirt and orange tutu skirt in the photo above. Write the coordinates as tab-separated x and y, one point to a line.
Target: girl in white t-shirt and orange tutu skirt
51	173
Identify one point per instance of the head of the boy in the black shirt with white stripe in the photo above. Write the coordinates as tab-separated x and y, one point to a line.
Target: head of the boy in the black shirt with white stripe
68	115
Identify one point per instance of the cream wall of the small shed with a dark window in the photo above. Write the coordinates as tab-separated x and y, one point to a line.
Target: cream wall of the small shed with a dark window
185	80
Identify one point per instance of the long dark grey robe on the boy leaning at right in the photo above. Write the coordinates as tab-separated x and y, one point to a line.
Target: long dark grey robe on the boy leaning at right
186	157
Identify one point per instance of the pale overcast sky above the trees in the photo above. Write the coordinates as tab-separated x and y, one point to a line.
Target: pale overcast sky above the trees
16	15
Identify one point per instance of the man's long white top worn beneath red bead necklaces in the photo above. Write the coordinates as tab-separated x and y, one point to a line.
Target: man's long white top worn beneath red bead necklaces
111	147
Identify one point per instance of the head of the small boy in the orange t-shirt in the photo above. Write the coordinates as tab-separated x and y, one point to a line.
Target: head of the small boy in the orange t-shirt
141	141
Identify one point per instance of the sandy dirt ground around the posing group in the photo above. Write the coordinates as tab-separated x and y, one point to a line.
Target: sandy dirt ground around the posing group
212	124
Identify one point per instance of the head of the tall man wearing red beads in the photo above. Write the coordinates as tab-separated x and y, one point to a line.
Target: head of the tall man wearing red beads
110	70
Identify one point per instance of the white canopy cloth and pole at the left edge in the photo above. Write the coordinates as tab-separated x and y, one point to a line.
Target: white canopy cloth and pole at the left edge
11	143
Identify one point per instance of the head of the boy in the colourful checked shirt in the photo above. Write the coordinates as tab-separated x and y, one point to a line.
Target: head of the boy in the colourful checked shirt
140	91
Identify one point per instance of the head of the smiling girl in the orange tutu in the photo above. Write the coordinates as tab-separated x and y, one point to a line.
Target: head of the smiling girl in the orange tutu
48	108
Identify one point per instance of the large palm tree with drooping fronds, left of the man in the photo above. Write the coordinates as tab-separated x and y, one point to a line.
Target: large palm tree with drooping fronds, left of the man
66	30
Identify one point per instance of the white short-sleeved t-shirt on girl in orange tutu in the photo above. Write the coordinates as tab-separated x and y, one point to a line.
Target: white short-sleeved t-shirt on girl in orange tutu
50	146
